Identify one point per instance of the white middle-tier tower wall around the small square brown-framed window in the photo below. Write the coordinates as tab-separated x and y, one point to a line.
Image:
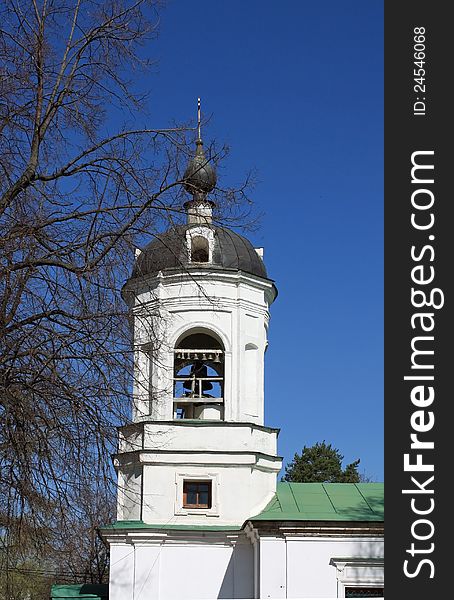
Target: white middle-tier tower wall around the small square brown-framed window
155	458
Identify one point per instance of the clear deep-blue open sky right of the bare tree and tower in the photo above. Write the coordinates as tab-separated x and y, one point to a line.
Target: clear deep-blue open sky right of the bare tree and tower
295	88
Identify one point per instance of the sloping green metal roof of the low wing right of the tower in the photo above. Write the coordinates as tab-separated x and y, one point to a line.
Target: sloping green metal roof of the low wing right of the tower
325	502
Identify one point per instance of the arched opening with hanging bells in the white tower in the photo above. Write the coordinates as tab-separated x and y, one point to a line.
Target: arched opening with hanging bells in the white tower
198	375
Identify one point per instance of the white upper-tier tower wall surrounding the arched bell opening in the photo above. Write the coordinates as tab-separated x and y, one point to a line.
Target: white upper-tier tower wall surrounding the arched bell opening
234	306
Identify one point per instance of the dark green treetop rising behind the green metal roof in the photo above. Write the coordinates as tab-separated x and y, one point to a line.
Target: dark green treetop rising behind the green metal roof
321	463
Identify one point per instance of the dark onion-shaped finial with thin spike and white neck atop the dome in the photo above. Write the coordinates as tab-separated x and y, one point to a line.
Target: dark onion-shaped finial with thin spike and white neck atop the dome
199	180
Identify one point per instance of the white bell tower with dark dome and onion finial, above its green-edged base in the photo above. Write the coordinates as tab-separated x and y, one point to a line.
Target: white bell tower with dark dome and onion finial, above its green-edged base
198	452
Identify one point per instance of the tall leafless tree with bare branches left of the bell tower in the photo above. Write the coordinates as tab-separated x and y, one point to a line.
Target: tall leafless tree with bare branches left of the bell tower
80	187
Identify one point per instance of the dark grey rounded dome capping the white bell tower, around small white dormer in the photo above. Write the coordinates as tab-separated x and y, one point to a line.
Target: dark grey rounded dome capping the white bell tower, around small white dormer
169	251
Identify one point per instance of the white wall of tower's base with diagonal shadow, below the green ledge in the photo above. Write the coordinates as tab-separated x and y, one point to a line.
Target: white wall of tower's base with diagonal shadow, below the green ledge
182	570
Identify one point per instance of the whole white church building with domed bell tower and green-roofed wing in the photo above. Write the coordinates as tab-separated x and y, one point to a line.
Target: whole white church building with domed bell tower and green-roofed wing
199	512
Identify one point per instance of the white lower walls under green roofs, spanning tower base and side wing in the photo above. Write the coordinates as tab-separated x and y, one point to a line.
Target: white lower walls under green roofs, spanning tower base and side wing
190	565
